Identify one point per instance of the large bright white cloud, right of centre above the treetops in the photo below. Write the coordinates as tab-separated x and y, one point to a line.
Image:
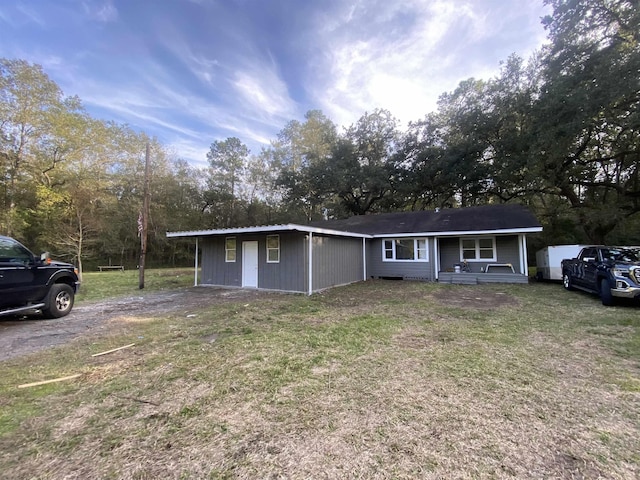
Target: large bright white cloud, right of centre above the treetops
403	55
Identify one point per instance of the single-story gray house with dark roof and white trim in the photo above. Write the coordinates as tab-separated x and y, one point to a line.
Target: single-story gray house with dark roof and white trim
338	255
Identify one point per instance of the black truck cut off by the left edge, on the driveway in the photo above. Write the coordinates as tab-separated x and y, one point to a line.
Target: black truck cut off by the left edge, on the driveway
29	283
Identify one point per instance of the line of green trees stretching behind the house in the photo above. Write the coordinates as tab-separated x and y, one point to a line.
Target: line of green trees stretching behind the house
558	132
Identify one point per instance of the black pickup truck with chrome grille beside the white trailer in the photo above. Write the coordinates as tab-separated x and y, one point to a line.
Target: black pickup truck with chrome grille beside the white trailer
609	272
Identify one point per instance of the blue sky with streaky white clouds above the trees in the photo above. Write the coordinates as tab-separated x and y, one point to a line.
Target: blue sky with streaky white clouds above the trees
194	71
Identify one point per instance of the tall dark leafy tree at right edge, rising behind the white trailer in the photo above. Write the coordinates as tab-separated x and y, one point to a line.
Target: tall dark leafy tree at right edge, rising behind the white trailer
588	115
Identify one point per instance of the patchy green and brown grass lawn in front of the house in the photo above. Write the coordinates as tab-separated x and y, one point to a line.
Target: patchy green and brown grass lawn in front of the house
373	380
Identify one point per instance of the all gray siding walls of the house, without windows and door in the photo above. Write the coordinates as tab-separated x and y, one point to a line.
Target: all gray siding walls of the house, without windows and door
336	261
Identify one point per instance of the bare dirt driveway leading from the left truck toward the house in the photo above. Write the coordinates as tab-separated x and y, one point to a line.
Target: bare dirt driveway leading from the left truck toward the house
20	336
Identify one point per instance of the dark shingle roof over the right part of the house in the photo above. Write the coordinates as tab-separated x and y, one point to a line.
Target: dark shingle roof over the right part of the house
484	218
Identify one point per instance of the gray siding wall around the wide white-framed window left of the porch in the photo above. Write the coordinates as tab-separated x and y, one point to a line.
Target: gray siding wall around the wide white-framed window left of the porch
378	268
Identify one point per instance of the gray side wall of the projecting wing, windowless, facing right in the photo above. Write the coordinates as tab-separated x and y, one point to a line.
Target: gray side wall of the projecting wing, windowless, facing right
336	261
